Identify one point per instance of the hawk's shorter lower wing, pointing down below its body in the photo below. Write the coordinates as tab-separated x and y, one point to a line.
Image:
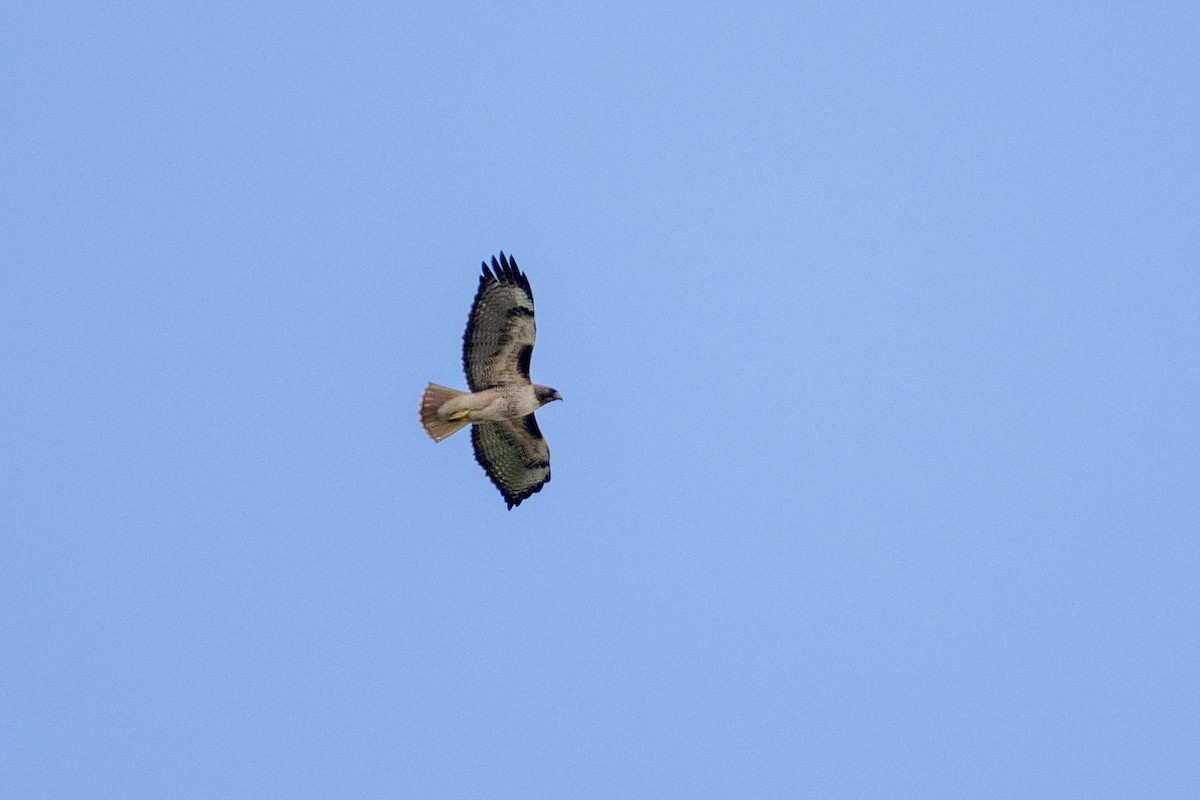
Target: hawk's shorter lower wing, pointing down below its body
515	456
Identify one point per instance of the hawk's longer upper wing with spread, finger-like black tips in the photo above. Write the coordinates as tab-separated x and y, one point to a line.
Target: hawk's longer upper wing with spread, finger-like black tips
501	332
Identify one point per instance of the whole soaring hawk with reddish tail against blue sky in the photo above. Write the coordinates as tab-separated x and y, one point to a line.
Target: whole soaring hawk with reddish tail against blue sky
496	352
